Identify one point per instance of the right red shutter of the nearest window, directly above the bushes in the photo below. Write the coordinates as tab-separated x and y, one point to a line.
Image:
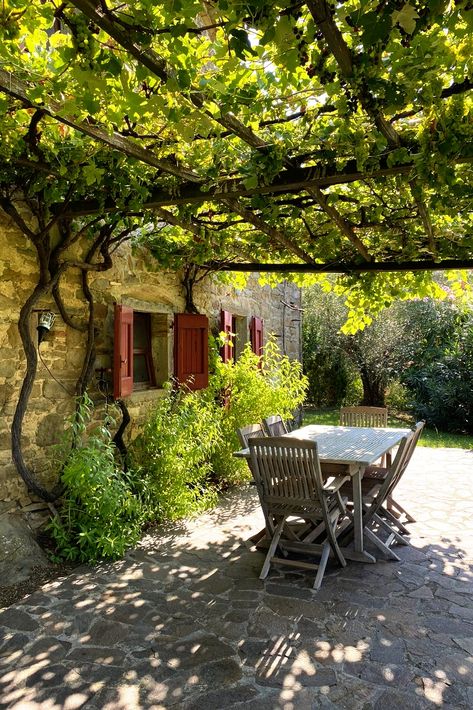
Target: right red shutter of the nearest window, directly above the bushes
191	350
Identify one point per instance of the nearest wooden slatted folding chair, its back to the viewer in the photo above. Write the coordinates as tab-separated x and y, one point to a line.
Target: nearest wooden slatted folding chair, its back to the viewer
296	502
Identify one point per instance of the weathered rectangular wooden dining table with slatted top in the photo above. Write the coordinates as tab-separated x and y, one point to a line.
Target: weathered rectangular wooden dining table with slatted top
348	451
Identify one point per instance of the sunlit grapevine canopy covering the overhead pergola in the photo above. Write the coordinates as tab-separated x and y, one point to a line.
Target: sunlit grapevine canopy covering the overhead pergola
316	132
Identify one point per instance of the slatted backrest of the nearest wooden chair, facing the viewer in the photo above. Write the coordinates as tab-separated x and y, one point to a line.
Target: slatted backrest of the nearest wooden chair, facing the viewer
287	473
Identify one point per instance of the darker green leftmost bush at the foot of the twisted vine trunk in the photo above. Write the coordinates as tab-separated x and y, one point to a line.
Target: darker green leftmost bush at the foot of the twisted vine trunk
99	516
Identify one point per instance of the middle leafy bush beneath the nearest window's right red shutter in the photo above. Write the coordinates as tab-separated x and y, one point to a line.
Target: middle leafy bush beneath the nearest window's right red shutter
172	456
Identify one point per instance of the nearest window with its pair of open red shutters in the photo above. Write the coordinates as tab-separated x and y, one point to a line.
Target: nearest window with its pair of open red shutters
143	350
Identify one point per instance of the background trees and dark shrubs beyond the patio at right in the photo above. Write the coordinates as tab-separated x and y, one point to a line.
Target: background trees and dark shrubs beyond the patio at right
423	346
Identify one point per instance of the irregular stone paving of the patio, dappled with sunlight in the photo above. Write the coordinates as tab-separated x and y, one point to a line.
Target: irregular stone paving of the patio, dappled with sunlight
184	622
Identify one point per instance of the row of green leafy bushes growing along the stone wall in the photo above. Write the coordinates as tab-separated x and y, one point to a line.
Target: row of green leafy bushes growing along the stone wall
179	462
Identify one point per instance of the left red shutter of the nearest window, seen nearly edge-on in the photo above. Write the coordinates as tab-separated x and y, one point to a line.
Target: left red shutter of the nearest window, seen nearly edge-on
123	352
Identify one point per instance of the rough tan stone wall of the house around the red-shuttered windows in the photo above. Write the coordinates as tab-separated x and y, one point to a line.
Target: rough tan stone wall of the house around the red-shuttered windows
133	281
